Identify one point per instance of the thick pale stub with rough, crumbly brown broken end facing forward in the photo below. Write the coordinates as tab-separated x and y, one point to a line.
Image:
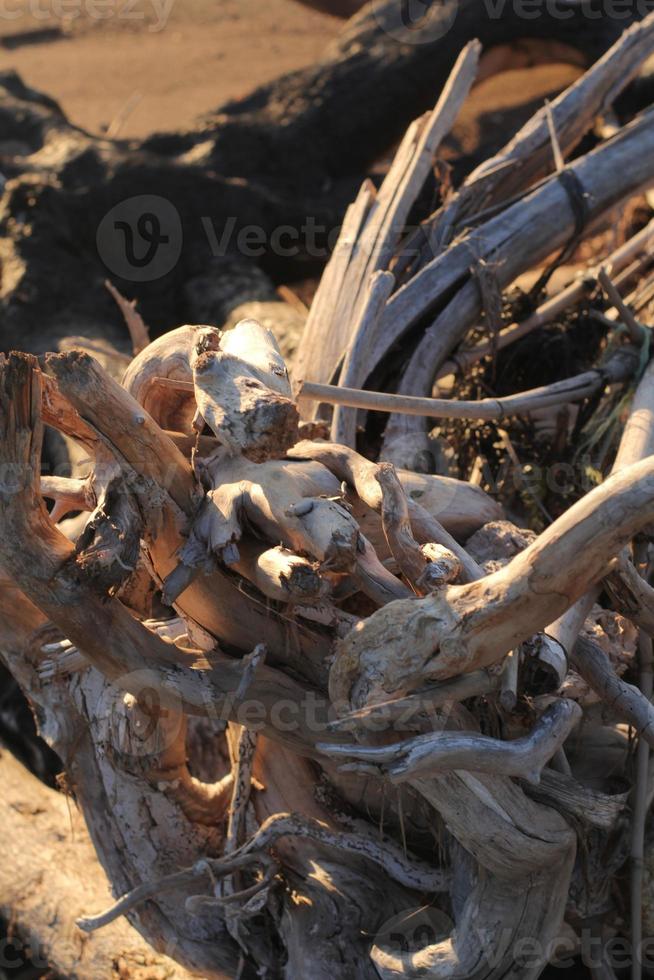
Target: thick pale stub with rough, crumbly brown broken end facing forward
243	393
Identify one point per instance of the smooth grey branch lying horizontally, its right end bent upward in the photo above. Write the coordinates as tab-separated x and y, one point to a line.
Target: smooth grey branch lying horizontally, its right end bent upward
423	755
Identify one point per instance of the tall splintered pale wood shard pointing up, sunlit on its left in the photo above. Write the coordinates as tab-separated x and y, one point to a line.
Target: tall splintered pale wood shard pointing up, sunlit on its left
370	235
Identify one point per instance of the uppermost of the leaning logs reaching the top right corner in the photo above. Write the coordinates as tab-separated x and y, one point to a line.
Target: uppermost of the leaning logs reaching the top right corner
529	155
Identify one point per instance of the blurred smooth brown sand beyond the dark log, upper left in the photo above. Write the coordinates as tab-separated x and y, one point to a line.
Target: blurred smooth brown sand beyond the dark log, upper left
151	65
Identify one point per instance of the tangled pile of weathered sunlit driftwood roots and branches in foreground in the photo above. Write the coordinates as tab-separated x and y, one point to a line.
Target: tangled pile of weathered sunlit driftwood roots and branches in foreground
330	717
